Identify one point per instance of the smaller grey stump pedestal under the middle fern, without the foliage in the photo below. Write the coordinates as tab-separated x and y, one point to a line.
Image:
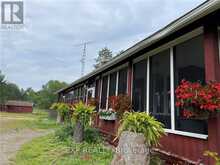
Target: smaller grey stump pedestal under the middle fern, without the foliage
78	132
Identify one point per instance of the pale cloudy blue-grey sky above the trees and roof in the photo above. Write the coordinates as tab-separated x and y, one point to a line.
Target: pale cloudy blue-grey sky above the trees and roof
48	48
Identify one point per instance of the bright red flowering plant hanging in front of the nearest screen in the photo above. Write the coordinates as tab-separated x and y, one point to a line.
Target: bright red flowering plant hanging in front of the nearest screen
195	99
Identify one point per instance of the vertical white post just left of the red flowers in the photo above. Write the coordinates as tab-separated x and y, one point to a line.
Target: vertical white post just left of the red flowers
172	96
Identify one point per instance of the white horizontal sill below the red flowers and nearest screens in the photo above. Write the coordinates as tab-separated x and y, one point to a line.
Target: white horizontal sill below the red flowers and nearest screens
189	134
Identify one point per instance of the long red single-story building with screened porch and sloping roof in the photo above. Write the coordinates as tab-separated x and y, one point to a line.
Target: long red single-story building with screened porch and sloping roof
149	72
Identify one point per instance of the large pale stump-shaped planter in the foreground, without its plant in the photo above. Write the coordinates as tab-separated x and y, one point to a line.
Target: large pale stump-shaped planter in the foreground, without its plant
131	150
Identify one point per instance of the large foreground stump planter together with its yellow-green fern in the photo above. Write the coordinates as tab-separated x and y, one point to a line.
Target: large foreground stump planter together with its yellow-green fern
138	133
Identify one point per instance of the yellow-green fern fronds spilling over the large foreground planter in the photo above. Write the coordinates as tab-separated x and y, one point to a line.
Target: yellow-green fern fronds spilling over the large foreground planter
141	122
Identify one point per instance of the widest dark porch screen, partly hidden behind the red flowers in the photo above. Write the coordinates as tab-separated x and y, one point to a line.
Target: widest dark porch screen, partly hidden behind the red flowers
189	65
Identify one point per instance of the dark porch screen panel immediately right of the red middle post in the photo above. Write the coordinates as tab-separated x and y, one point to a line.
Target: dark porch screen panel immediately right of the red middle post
139	86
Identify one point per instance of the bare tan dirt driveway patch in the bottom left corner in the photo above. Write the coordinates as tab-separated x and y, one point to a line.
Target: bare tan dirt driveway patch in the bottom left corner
11	141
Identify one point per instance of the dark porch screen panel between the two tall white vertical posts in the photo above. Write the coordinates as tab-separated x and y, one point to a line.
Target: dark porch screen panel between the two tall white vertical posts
160	87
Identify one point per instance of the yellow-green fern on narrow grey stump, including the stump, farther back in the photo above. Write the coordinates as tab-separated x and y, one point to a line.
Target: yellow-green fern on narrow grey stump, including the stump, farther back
81	116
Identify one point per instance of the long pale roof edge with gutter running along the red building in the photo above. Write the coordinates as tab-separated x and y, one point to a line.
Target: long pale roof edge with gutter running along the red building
197	13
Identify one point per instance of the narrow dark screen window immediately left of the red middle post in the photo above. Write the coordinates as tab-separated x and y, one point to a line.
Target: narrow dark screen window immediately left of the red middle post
122	81
